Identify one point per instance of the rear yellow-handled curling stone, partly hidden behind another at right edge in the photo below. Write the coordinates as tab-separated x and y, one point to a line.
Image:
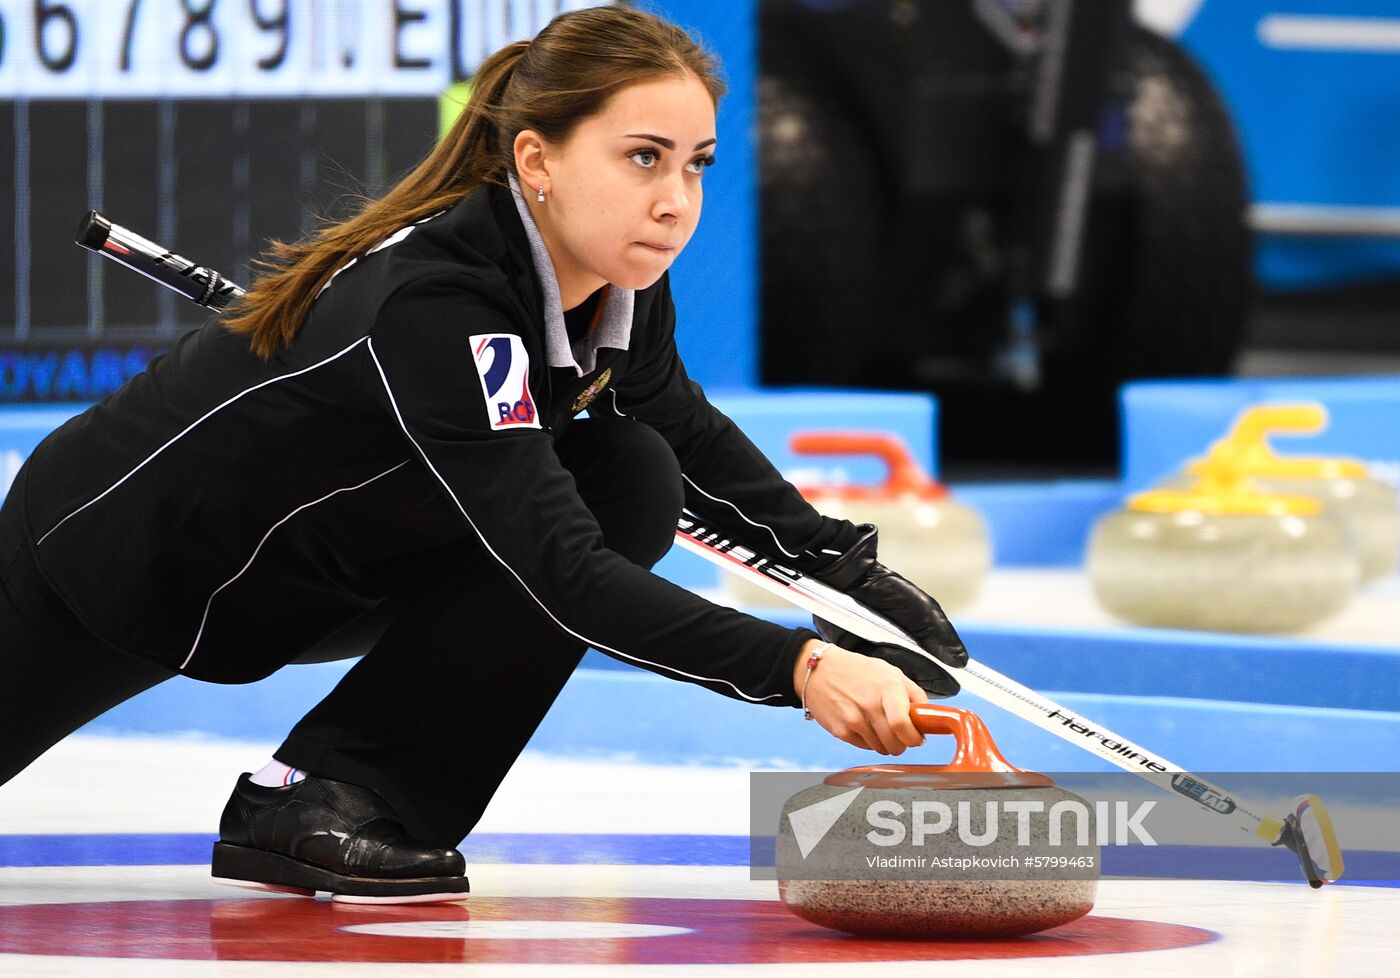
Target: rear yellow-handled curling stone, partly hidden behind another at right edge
1368	507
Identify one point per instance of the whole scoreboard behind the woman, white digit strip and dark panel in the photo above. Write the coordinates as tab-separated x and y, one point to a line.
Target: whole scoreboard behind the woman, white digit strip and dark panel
209	127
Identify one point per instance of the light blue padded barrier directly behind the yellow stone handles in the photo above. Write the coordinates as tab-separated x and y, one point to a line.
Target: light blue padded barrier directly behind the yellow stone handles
1165	423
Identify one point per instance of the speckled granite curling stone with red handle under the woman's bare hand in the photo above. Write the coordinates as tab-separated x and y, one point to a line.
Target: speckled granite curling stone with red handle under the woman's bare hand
940	886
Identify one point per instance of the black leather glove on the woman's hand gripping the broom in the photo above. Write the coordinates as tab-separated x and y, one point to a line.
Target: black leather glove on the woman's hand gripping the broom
878	588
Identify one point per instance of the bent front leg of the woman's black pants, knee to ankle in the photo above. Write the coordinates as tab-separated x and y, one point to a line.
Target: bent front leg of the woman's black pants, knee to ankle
468	664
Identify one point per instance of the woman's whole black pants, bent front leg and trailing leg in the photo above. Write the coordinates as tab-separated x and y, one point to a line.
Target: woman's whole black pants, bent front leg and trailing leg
463	665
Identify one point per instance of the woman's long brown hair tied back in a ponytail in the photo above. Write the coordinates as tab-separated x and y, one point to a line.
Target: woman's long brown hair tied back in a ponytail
549	85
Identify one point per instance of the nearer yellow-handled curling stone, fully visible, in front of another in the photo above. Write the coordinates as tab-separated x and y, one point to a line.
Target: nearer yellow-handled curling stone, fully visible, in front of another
1221	556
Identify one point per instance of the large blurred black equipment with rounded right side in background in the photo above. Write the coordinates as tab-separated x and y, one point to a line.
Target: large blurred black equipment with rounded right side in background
1013	205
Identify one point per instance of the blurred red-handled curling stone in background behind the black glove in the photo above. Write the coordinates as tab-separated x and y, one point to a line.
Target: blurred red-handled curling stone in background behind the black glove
926	535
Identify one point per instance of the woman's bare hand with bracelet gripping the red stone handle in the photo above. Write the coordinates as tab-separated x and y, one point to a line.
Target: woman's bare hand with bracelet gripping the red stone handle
860	700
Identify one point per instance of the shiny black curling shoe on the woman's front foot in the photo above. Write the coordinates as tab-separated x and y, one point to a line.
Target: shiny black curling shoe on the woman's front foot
330	836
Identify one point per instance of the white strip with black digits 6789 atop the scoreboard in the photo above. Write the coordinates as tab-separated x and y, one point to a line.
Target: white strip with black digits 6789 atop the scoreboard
254	48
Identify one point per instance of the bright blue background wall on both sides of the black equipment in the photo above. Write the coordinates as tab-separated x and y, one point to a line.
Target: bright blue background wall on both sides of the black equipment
1317	128
